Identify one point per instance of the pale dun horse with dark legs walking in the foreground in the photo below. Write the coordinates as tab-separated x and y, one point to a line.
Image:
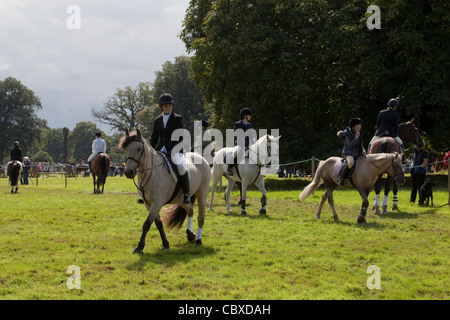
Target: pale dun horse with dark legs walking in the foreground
157	188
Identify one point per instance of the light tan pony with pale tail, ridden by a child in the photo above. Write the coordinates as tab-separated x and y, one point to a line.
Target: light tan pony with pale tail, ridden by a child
368	170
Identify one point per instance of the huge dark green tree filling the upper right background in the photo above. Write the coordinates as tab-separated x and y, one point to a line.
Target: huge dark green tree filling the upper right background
307	67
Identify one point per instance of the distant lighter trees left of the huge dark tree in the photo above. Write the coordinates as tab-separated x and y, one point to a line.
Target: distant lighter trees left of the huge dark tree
128	108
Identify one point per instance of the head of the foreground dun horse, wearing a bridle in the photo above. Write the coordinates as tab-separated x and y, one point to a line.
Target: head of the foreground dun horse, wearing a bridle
133	144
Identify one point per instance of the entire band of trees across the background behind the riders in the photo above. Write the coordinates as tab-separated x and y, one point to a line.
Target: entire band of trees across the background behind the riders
304	67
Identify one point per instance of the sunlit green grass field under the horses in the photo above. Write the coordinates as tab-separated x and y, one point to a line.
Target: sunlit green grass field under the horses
287	254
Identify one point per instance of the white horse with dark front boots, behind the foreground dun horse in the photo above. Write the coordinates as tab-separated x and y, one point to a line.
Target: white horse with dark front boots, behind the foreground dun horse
248	173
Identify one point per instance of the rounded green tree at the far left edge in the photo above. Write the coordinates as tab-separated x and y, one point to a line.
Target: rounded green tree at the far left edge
18	117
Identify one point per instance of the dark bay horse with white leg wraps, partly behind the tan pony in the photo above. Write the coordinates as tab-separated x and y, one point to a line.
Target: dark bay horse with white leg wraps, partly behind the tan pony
408	132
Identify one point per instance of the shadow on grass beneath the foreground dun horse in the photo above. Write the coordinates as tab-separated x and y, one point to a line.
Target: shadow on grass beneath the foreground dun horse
178	253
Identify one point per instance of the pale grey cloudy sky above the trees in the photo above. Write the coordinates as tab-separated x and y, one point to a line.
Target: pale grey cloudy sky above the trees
74	54
